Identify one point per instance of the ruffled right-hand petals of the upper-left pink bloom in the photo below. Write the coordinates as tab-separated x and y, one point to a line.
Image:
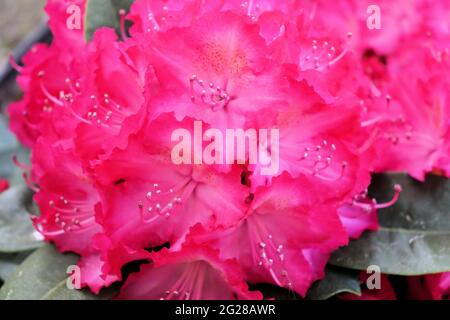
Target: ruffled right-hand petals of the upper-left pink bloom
108	112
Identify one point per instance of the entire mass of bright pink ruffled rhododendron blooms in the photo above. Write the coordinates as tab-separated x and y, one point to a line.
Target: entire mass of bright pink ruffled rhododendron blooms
347	101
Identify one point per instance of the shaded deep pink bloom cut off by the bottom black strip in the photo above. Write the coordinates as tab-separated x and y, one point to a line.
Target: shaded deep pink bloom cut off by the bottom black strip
193	273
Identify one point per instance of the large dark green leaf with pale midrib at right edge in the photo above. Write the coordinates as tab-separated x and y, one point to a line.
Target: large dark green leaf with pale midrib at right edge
414	236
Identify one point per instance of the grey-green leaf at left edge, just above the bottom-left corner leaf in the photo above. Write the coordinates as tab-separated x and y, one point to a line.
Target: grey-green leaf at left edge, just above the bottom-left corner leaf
16	230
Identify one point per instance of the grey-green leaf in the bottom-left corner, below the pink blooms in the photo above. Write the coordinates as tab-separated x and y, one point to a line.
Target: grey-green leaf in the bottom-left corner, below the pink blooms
40	273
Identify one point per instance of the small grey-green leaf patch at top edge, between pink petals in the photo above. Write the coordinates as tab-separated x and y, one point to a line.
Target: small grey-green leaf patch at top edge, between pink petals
104	13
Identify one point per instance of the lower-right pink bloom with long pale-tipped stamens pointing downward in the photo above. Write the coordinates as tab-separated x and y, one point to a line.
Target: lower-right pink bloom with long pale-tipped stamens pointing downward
280	223
